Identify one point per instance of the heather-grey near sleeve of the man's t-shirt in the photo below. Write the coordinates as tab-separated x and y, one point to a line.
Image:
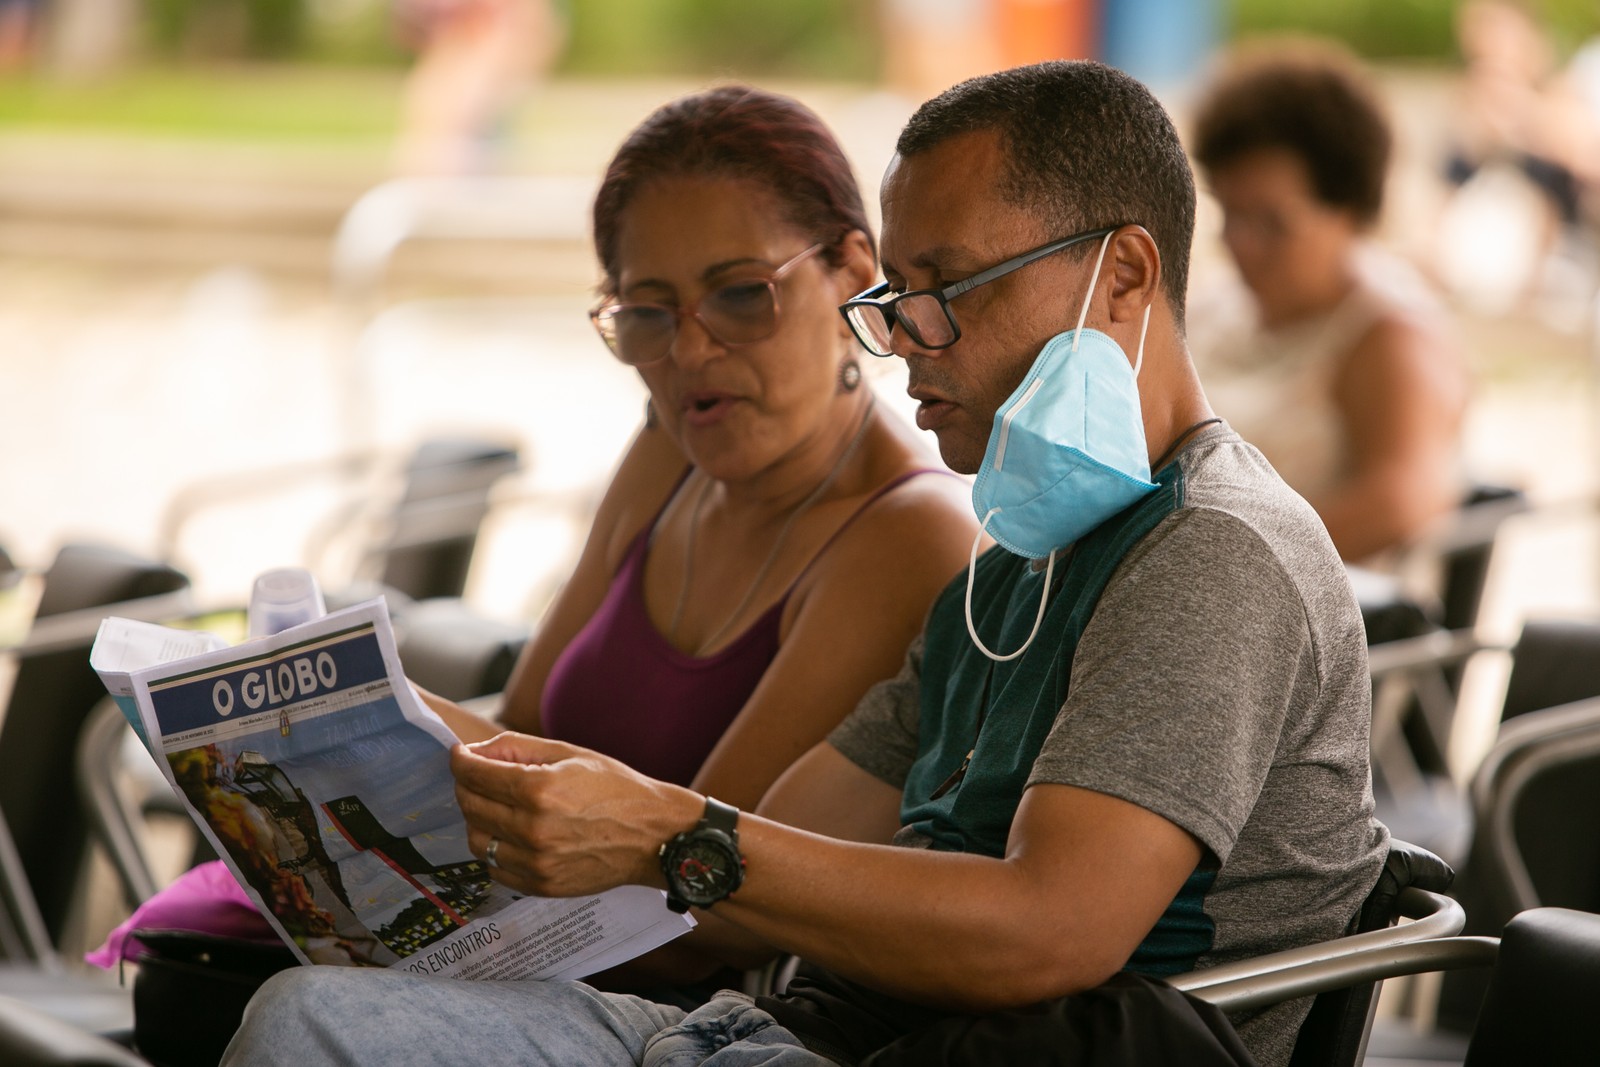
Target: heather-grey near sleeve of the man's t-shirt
1183	679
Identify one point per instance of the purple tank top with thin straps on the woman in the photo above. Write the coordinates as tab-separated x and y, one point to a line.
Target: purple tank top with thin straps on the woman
623	690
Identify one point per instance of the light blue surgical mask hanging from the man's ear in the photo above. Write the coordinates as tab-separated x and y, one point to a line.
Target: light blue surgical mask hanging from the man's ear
1066	452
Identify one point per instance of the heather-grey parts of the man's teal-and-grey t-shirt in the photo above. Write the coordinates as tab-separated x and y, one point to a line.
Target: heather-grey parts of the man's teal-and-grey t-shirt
1222	684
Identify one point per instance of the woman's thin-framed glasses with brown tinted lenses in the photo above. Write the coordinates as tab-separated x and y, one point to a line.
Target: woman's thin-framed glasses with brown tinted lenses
740	313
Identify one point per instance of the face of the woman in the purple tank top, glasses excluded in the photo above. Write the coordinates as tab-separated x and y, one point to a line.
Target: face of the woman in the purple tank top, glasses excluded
735	410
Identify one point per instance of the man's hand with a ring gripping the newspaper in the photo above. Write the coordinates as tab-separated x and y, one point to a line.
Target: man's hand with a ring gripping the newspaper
569	821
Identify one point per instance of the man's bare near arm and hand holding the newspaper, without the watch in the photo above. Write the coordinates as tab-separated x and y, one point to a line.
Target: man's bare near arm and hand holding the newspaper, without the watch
1082	881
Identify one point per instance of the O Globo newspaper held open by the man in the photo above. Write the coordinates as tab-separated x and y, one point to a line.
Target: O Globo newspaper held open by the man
324	783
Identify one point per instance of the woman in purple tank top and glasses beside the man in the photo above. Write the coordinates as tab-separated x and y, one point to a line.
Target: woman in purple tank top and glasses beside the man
772	540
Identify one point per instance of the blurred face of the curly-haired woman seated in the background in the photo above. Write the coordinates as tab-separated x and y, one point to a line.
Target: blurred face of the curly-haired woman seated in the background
1289	246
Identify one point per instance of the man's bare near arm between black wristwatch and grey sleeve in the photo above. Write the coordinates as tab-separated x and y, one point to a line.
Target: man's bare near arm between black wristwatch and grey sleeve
1084	881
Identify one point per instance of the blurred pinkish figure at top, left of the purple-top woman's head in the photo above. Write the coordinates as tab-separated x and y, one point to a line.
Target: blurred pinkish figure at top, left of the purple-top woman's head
474	60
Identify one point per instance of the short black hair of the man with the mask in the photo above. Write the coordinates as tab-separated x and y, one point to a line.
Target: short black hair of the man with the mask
1086	146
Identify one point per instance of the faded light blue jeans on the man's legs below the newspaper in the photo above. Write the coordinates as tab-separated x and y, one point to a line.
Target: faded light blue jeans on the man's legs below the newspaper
310	1017
